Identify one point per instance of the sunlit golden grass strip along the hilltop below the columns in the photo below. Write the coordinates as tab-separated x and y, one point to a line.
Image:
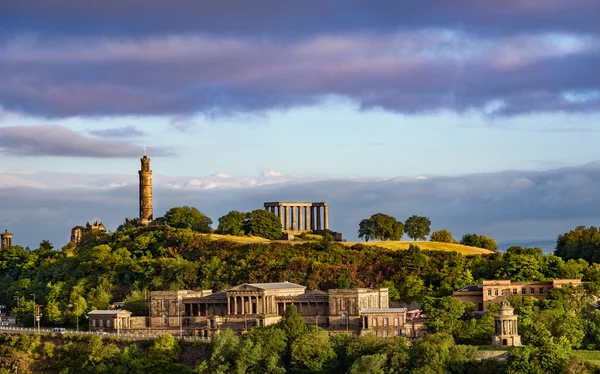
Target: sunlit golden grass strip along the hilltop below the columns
391	245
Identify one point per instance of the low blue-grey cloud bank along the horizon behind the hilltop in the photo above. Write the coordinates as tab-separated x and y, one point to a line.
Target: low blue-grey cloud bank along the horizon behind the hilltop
506	205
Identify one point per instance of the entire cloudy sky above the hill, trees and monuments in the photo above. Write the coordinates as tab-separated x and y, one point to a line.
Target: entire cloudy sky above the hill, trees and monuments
481	115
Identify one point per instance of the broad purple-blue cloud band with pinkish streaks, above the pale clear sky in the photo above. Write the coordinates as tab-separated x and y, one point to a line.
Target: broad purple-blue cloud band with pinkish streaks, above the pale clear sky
406	71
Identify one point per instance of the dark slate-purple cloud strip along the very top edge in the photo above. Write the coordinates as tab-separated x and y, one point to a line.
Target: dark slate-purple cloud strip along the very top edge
279	19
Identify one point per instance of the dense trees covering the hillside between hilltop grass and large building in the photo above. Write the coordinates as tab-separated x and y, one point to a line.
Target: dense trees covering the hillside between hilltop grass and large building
122	265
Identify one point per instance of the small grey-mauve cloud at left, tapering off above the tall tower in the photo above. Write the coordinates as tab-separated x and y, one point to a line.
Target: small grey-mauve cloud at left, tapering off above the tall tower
55	140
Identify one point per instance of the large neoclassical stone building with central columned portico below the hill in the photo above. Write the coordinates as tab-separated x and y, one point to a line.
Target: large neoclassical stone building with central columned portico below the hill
355	311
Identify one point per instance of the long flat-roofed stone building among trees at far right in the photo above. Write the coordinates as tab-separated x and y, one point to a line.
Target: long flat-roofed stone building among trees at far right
495	291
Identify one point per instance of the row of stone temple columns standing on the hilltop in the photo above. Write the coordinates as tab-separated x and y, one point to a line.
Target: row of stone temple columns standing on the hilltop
301	217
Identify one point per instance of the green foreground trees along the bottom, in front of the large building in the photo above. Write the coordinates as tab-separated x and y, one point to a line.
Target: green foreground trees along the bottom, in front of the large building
288	347
